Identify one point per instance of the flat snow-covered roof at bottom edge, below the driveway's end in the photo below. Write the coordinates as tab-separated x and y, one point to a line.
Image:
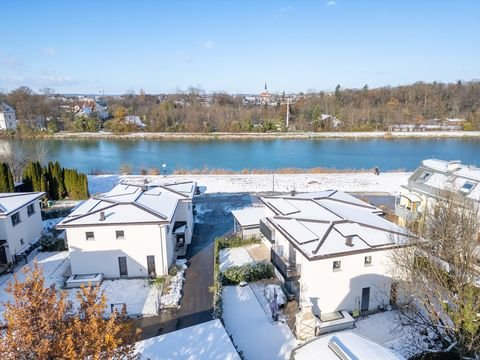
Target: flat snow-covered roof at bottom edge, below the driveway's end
200	342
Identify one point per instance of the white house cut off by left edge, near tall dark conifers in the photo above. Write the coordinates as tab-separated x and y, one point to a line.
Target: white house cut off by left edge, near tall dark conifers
20	224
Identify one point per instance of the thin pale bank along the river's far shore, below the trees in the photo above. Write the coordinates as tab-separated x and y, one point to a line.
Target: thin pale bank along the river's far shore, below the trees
273	135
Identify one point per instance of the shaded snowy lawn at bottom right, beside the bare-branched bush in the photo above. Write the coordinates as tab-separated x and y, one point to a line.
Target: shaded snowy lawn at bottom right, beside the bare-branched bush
384	329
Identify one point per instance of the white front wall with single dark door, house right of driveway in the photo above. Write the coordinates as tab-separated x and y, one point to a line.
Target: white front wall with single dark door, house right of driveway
331	290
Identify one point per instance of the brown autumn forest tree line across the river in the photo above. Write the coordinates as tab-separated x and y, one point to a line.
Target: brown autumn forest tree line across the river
358	109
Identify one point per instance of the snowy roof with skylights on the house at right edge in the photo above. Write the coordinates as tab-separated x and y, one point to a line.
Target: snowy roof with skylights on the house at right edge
446	175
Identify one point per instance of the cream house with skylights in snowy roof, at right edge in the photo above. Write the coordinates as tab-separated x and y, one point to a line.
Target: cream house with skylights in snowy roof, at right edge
430	180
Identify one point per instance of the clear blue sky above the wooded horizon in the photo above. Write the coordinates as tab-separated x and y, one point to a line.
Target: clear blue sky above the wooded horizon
235	46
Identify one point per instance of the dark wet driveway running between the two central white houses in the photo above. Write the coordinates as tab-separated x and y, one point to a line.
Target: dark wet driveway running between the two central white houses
213	219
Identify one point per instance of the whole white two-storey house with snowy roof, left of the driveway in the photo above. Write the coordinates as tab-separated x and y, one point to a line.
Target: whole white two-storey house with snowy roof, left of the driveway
132	231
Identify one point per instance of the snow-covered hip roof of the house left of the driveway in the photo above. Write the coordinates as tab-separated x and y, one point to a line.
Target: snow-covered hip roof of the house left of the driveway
131	203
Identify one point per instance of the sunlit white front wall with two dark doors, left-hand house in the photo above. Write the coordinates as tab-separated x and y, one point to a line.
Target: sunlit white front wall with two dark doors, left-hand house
101	255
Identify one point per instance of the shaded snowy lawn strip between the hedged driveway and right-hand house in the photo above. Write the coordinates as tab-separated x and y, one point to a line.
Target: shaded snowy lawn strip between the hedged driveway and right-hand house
252	331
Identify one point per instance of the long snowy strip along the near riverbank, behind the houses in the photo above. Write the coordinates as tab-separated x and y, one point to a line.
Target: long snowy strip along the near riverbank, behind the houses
351	182
